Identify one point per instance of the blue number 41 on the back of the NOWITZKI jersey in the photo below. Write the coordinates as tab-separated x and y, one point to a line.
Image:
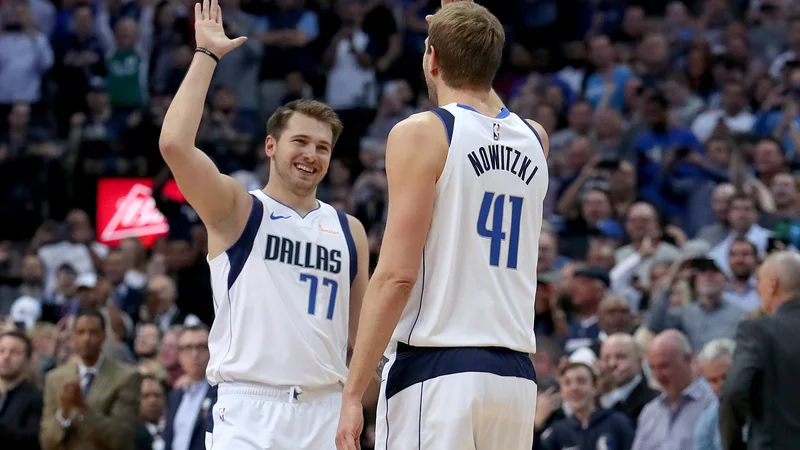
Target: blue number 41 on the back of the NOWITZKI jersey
492	205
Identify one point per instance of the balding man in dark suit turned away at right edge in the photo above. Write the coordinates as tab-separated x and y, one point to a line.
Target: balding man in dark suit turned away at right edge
761	387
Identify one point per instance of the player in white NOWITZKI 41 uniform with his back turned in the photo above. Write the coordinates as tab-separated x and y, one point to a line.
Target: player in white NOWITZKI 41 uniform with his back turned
453	293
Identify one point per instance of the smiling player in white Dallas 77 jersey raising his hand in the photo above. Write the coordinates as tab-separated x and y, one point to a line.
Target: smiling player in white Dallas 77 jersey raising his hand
287	271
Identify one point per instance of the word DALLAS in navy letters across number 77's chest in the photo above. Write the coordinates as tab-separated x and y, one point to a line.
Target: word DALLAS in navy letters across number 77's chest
303	254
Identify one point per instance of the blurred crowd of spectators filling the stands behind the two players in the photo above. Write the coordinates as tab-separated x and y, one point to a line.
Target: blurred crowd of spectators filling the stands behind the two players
674	148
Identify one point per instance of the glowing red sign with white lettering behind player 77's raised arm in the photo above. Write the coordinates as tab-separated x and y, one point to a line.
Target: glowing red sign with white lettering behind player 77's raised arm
126	208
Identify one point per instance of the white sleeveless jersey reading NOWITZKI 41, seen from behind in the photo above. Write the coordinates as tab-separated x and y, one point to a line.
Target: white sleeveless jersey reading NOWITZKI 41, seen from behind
477	282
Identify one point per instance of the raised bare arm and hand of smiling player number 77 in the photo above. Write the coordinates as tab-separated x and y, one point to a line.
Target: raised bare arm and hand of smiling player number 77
222	204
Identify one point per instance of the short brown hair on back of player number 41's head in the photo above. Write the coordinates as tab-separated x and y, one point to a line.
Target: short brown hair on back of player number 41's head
469	44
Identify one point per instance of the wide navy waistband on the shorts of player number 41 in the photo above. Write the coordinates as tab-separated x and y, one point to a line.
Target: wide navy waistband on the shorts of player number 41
414	365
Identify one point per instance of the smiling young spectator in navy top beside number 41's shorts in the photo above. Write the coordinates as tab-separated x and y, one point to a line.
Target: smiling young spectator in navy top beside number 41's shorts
589	427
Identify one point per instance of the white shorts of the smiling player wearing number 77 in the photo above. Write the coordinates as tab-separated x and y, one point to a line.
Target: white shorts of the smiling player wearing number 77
250	417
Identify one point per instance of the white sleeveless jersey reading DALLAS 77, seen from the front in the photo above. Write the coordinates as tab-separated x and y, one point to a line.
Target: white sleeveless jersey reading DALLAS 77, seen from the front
282	298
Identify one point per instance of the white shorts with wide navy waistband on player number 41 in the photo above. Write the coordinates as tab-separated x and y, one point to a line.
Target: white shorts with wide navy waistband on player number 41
456	399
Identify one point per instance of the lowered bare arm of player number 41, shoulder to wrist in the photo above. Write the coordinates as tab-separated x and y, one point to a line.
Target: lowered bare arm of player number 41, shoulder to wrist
415	155
